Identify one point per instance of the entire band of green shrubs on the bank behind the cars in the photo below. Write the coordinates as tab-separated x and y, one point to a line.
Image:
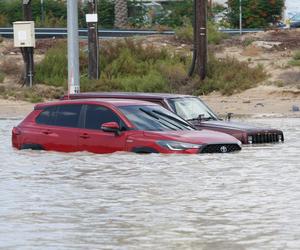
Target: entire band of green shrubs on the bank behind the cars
128	65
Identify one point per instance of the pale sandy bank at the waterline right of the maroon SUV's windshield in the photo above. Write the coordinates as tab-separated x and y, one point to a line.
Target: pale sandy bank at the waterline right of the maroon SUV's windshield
263	101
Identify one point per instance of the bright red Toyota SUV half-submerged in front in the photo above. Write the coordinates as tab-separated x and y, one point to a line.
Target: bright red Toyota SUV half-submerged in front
110	125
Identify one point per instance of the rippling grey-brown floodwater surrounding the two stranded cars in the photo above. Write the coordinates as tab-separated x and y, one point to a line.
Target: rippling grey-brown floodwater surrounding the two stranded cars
245	200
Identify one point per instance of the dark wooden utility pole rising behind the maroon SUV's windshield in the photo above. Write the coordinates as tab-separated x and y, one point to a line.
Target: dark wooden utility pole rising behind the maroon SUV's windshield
201	38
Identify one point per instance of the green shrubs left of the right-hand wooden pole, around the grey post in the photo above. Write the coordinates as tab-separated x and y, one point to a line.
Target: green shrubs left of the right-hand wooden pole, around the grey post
125	65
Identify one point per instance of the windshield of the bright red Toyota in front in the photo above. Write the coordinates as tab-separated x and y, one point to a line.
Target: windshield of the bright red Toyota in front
154	118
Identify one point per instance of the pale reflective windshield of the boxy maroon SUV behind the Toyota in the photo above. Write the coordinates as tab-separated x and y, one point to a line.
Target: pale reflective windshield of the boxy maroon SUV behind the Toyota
191	108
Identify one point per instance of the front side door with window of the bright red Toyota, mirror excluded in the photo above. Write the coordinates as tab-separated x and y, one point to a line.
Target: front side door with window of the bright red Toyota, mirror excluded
93	139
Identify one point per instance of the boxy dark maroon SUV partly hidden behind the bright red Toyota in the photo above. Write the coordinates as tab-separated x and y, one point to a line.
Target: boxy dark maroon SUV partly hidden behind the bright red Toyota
195	111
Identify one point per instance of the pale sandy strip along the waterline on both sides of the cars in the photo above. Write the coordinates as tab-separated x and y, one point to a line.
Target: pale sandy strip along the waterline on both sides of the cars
263	101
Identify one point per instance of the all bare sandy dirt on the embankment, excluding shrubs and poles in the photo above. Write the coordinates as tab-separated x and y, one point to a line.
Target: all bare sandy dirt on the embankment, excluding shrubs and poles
272	49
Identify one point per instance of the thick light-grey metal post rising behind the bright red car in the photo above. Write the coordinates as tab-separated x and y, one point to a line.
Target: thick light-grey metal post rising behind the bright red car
73	48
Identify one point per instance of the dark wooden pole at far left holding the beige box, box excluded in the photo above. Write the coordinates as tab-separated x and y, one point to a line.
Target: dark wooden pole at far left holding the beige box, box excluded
27	53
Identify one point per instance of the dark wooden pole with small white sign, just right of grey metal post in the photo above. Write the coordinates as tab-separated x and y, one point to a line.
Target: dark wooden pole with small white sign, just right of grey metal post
92	21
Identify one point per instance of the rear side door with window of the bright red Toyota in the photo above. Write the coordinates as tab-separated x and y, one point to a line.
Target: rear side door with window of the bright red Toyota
57	128
